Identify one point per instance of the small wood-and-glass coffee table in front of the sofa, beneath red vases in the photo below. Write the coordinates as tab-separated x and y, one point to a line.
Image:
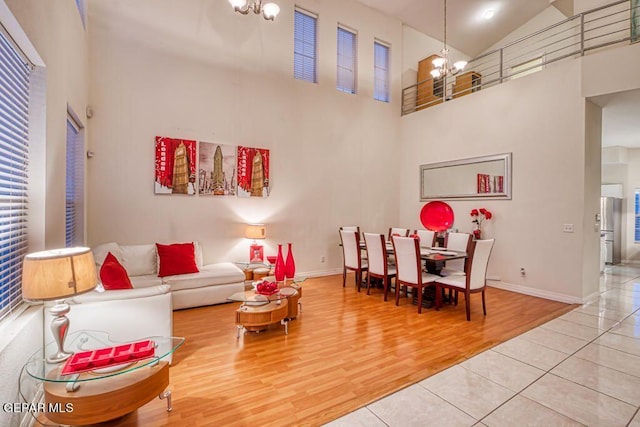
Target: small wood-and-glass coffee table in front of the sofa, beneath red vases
258	311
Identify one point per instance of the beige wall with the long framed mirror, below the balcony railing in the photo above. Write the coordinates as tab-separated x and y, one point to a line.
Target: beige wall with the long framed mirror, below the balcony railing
540	119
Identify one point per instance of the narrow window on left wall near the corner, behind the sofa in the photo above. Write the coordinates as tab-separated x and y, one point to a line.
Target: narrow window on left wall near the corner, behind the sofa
74	198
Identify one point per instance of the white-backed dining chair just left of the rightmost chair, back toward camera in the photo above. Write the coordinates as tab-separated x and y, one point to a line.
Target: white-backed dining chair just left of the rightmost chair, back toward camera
409	267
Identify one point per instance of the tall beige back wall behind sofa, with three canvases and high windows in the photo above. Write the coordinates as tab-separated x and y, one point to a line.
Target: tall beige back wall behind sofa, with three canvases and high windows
220	76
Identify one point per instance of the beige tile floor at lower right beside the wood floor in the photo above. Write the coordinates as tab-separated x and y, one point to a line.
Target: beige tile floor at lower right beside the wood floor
582	368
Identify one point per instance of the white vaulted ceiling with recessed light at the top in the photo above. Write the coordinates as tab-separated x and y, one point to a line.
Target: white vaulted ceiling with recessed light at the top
467	29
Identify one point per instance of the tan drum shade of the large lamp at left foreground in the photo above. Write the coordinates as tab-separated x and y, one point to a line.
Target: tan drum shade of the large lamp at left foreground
58	273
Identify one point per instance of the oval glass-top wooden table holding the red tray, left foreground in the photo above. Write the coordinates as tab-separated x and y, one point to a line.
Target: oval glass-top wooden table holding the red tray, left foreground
94	395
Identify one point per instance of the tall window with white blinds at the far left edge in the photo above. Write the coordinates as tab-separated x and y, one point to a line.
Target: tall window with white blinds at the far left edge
14	153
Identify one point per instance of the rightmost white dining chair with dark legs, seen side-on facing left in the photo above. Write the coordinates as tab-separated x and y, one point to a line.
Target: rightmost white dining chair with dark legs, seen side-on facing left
475	279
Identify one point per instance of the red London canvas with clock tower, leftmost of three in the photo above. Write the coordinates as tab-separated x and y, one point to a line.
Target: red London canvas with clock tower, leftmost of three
175	166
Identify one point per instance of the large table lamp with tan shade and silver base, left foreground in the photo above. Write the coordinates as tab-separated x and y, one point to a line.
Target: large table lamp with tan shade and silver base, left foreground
54	275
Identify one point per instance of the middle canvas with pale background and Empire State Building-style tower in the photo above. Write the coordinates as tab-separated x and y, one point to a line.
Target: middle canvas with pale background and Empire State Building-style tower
216	169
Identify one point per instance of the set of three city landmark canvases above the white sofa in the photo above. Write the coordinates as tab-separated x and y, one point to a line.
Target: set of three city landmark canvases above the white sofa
210	169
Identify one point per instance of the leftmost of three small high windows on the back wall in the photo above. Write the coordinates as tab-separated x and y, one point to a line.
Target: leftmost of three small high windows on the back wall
304	46
